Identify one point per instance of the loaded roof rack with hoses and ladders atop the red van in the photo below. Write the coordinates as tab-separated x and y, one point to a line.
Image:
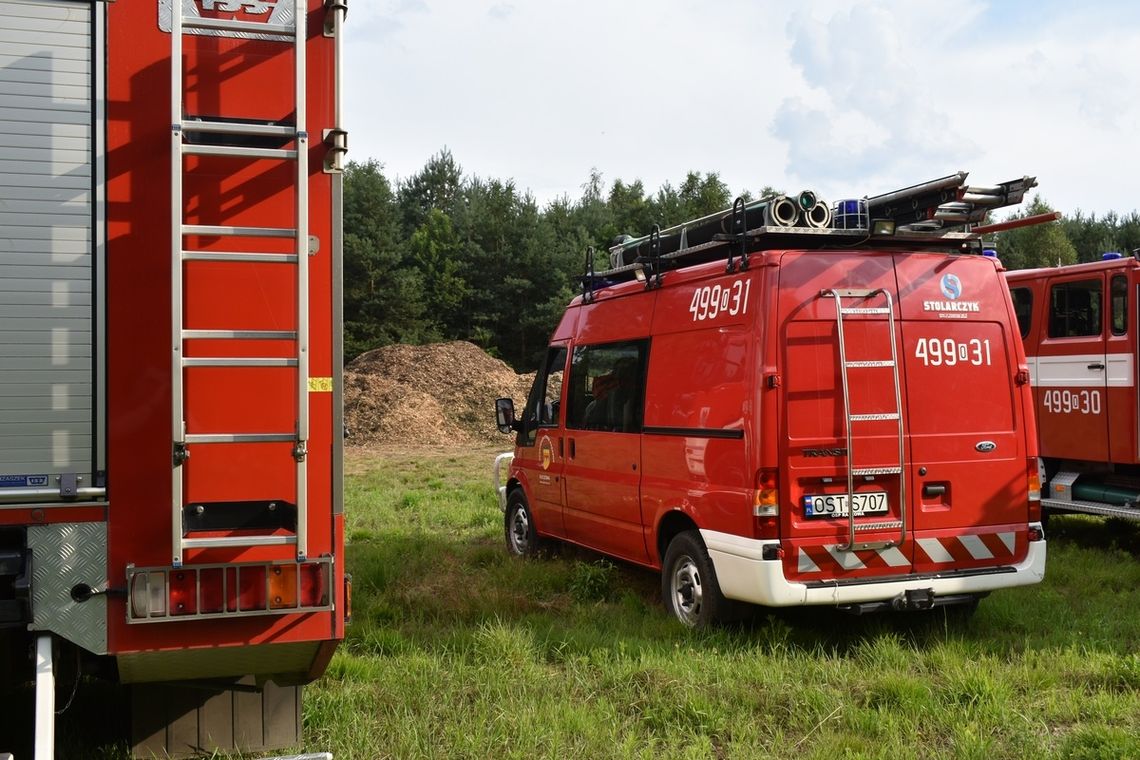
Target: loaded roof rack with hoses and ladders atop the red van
923	215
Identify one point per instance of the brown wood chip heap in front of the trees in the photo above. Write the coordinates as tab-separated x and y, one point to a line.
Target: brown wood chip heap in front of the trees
437	395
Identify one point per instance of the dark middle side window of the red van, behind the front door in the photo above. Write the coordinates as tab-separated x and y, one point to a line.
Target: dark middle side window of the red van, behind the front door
608	387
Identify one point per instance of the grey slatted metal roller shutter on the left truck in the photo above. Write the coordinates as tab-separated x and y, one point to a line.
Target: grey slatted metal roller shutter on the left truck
47	193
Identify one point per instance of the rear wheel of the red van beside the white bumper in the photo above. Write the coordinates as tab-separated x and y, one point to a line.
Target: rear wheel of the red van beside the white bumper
689	586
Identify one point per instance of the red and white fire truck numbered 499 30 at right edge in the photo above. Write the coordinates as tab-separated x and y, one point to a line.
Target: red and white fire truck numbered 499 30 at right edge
1080	334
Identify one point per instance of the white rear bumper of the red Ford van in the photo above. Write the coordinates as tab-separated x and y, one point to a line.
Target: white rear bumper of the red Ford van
744	575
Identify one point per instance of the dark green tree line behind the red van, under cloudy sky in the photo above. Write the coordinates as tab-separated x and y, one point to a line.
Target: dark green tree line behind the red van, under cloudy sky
443	256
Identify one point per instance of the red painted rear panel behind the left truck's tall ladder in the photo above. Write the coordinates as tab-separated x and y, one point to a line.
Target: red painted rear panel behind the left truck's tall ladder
249	79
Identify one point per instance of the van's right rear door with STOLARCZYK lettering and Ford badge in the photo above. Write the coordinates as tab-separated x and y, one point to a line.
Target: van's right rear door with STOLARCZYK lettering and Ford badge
968	439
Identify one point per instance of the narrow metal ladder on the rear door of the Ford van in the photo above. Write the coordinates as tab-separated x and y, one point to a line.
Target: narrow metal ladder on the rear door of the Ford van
851	420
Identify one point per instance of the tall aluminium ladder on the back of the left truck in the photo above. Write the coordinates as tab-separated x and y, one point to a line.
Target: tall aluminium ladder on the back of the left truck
238	129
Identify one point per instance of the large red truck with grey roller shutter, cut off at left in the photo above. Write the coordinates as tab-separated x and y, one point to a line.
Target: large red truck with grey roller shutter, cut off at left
170	426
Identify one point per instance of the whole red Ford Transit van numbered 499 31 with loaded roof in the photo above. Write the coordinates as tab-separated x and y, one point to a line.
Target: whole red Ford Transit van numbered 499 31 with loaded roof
786	406
